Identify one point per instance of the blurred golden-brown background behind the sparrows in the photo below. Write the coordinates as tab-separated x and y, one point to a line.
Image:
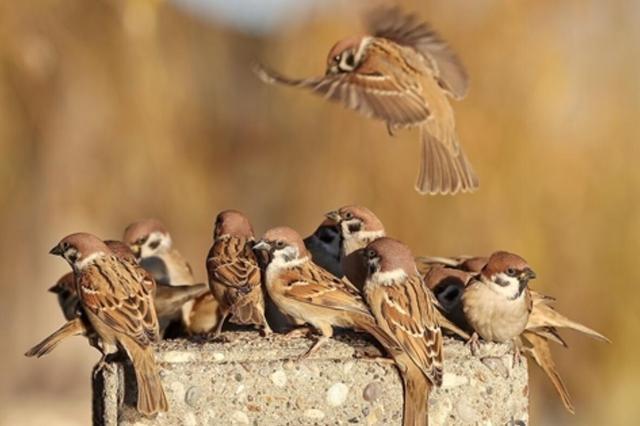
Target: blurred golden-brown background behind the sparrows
112	111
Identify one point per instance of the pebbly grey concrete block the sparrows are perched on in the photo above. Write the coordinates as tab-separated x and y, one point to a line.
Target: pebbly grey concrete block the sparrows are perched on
253	380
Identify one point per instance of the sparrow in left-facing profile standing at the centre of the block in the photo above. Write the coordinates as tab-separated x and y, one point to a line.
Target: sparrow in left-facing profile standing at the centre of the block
309	294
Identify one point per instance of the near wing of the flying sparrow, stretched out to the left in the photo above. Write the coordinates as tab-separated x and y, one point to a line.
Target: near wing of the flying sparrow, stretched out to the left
372	93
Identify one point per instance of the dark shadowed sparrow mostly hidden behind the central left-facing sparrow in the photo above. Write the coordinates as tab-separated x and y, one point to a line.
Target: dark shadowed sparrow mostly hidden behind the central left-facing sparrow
325	246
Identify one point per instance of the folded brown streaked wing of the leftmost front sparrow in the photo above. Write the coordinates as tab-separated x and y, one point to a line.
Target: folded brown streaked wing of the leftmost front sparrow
120	294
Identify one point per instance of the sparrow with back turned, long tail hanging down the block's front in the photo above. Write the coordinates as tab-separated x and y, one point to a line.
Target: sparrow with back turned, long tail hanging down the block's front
404	308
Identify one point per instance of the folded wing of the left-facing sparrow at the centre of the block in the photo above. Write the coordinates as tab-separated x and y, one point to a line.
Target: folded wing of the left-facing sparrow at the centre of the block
312	284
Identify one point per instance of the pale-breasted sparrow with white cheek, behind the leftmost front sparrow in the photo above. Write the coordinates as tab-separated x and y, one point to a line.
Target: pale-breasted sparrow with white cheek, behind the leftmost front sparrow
153	246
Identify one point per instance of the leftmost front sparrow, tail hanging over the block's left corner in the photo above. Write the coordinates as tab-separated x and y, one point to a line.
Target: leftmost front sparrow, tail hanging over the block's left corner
118	302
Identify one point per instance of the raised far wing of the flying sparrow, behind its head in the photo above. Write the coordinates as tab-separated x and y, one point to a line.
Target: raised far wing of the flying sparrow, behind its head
408	30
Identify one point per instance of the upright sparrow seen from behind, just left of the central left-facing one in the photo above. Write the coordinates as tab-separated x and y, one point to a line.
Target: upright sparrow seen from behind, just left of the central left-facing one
234	274
